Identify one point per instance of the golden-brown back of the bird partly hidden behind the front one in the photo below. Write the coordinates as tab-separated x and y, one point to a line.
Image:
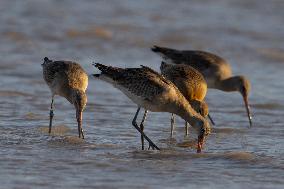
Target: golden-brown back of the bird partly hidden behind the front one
189	81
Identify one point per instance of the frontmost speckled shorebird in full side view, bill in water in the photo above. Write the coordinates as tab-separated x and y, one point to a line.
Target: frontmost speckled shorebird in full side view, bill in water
150	90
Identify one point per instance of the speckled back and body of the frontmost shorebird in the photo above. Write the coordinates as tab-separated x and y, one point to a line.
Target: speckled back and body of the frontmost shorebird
143	86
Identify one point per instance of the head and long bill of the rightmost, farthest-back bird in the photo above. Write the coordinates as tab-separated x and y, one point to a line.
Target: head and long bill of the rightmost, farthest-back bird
244	88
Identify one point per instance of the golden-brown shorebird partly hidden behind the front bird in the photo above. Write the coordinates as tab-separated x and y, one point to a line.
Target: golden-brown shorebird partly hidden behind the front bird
191	84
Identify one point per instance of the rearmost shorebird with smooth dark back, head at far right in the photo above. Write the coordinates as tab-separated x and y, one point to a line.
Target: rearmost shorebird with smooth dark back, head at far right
216	71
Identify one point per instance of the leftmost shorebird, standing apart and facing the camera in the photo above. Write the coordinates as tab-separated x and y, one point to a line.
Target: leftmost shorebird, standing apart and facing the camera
69	80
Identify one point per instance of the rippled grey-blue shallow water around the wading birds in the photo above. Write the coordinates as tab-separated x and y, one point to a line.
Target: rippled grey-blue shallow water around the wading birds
249	34
